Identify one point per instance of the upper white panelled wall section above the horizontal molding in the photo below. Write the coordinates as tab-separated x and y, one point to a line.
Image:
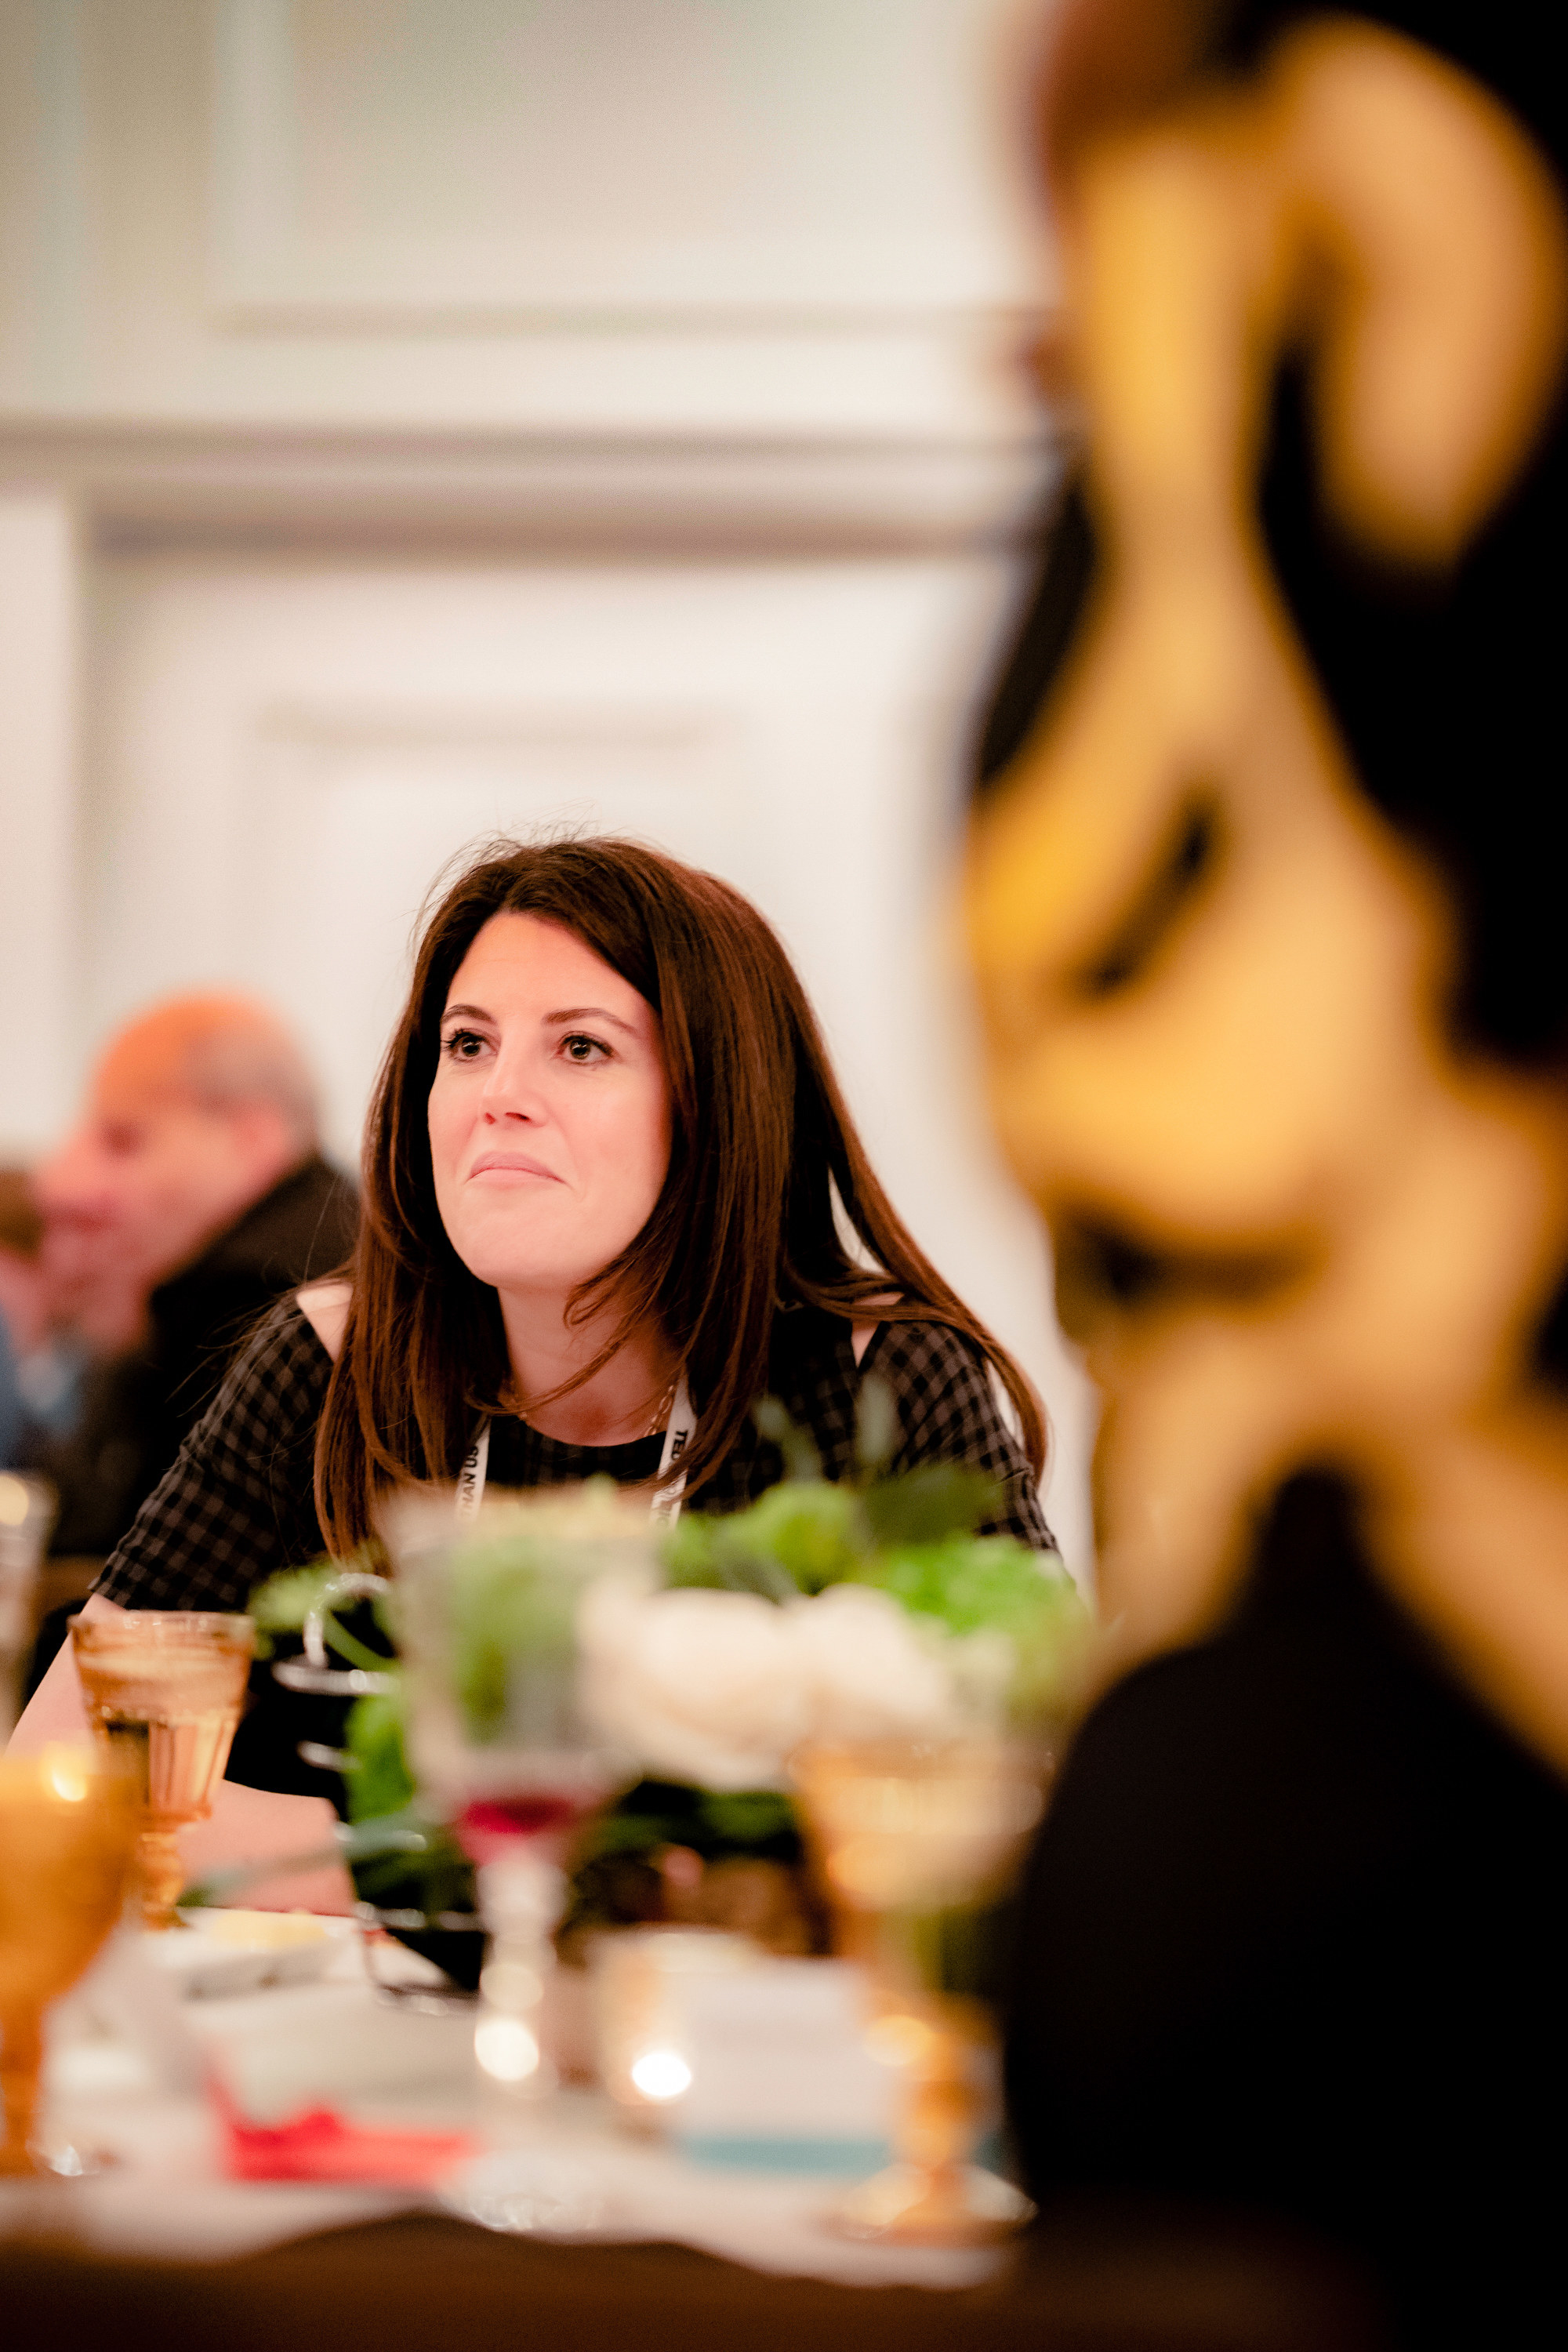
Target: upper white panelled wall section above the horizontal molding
617	215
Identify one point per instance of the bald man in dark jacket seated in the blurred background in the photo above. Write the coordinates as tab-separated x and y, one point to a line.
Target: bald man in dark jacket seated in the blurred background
187	1198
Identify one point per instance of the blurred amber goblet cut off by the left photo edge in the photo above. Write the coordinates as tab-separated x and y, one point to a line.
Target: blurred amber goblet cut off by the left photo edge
67	1840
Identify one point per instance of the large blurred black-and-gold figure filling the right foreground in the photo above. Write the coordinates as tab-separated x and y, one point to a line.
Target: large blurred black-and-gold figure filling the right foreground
1266	904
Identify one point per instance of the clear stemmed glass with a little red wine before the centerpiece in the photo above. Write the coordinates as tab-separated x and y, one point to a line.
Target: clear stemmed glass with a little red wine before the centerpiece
500	1739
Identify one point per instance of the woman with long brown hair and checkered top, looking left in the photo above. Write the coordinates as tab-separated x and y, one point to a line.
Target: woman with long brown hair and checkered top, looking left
612	1198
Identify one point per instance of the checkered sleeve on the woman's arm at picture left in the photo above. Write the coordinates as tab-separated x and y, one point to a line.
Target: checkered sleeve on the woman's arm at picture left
239	1502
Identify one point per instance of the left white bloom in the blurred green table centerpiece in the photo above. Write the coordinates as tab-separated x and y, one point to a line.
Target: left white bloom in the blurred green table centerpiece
702	1688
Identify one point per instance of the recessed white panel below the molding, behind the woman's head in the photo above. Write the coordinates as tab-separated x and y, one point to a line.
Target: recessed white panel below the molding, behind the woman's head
288	751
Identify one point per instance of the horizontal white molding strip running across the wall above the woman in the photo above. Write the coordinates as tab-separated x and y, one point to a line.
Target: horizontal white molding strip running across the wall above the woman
168	483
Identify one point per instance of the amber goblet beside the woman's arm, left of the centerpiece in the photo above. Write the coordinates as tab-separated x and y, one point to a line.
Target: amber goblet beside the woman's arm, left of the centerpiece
163	1692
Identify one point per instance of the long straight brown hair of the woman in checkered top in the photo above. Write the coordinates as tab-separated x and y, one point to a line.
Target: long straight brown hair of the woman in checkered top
763	1151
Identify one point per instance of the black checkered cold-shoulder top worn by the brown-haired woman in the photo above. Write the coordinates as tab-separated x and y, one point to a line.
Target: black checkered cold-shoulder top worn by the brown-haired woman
239	1504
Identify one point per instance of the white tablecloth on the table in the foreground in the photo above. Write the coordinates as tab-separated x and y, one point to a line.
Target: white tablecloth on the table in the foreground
126	2078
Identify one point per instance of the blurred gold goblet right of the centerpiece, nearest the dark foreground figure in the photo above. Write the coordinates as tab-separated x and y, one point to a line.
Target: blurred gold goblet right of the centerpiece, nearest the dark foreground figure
904	1836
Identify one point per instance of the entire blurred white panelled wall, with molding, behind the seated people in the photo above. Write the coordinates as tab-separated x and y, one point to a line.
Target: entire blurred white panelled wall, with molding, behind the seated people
422	417
